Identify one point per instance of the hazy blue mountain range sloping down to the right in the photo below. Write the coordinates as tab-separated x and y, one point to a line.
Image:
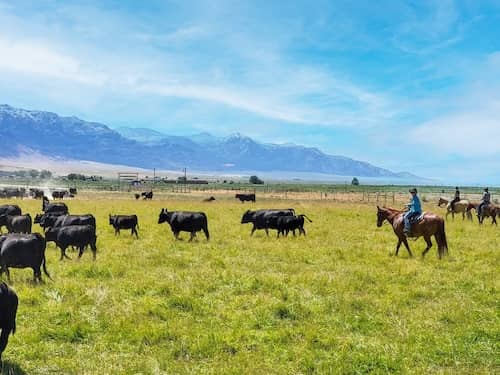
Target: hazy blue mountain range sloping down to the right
75	139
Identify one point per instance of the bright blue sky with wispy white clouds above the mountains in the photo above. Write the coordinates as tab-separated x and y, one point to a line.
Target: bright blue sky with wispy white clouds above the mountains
405	85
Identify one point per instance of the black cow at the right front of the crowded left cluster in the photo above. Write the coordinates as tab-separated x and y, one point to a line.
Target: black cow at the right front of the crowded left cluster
74	235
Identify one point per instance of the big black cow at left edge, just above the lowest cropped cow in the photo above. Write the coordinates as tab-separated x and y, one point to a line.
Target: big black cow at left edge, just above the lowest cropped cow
23	251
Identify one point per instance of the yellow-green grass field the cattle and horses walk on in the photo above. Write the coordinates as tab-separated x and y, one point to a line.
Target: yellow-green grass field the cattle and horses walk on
333	302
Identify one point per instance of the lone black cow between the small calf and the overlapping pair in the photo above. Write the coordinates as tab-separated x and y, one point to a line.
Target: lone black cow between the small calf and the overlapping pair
185	221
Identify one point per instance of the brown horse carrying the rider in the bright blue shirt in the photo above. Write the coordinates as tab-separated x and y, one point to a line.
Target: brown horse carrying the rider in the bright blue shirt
430	225
